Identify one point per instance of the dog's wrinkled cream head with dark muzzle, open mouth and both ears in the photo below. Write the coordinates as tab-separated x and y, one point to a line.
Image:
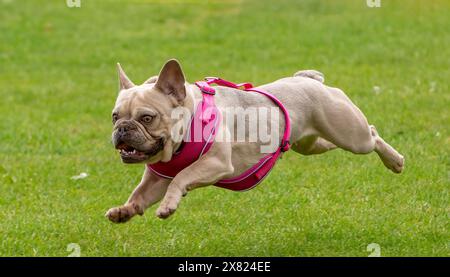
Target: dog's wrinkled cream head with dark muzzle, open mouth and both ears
142	115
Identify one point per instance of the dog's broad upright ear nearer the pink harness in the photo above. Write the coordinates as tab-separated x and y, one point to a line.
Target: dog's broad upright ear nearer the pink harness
171	80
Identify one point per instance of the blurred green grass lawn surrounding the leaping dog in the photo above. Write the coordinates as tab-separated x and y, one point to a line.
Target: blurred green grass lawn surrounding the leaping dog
58	84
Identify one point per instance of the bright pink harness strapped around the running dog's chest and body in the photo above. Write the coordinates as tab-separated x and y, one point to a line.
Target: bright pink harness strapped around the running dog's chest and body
202	131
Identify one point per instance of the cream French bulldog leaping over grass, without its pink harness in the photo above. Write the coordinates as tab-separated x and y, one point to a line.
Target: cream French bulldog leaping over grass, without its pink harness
322	118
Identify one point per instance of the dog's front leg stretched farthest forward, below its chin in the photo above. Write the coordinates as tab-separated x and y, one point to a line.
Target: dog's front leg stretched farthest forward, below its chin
150	190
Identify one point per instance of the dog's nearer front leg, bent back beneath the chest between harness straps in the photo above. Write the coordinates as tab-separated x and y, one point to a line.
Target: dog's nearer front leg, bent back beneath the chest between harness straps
205	171
